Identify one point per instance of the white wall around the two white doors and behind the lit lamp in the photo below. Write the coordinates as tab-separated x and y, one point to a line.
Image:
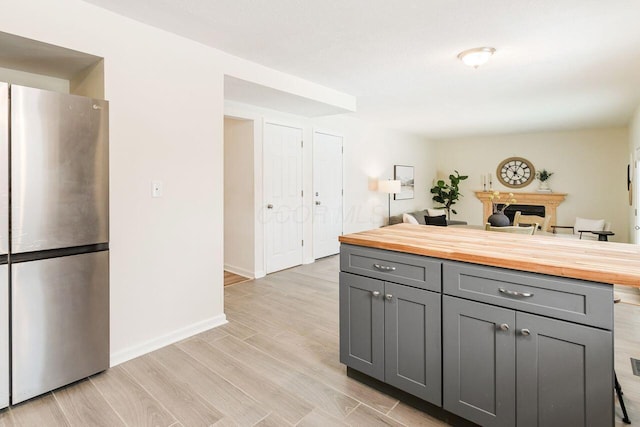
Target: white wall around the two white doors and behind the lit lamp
369	154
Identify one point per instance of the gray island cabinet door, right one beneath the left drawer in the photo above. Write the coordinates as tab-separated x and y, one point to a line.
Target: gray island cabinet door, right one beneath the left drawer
413	342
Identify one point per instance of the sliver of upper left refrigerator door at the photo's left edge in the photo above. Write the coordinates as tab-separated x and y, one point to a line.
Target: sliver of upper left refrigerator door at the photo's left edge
4	168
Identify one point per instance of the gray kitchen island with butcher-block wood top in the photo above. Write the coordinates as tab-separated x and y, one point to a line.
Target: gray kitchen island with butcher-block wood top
495	328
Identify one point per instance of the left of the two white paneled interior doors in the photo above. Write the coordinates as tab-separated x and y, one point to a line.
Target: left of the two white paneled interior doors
283	196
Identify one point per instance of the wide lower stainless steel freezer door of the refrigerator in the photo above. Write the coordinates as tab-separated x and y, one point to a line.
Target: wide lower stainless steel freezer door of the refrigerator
60	322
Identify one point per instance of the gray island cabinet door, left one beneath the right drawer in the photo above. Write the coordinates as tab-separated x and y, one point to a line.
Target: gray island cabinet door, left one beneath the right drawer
479	364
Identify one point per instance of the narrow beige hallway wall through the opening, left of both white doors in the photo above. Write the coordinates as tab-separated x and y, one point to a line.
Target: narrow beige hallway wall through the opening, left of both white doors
239	210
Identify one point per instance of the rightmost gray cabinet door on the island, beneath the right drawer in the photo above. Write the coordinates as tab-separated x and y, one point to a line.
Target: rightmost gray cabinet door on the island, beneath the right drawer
565	373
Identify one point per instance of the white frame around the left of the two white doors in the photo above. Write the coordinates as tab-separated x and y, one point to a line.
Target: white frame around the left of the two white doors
263	201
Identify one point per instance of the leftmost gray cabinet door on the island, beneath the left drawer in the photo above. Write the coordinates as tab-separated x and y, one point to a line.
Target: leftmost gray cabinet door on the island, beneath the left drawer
362	324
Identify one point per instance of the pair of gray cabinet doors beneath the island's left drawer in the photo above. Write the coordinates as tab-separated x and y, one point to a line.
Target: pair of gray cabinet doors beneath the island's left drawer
391	332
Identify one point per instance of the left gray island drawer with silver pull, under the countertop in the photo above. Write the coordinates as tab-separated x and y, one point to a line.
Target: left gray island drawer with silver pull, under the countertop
407	269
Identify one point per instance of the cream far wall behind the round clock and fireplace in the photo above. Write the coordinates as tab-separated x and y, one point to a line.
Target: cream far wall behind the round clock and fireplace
588	165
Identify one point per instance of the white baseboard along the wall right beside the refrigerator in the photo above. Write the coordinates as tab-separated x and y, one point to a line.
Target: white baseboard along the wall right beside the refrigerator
164	340
